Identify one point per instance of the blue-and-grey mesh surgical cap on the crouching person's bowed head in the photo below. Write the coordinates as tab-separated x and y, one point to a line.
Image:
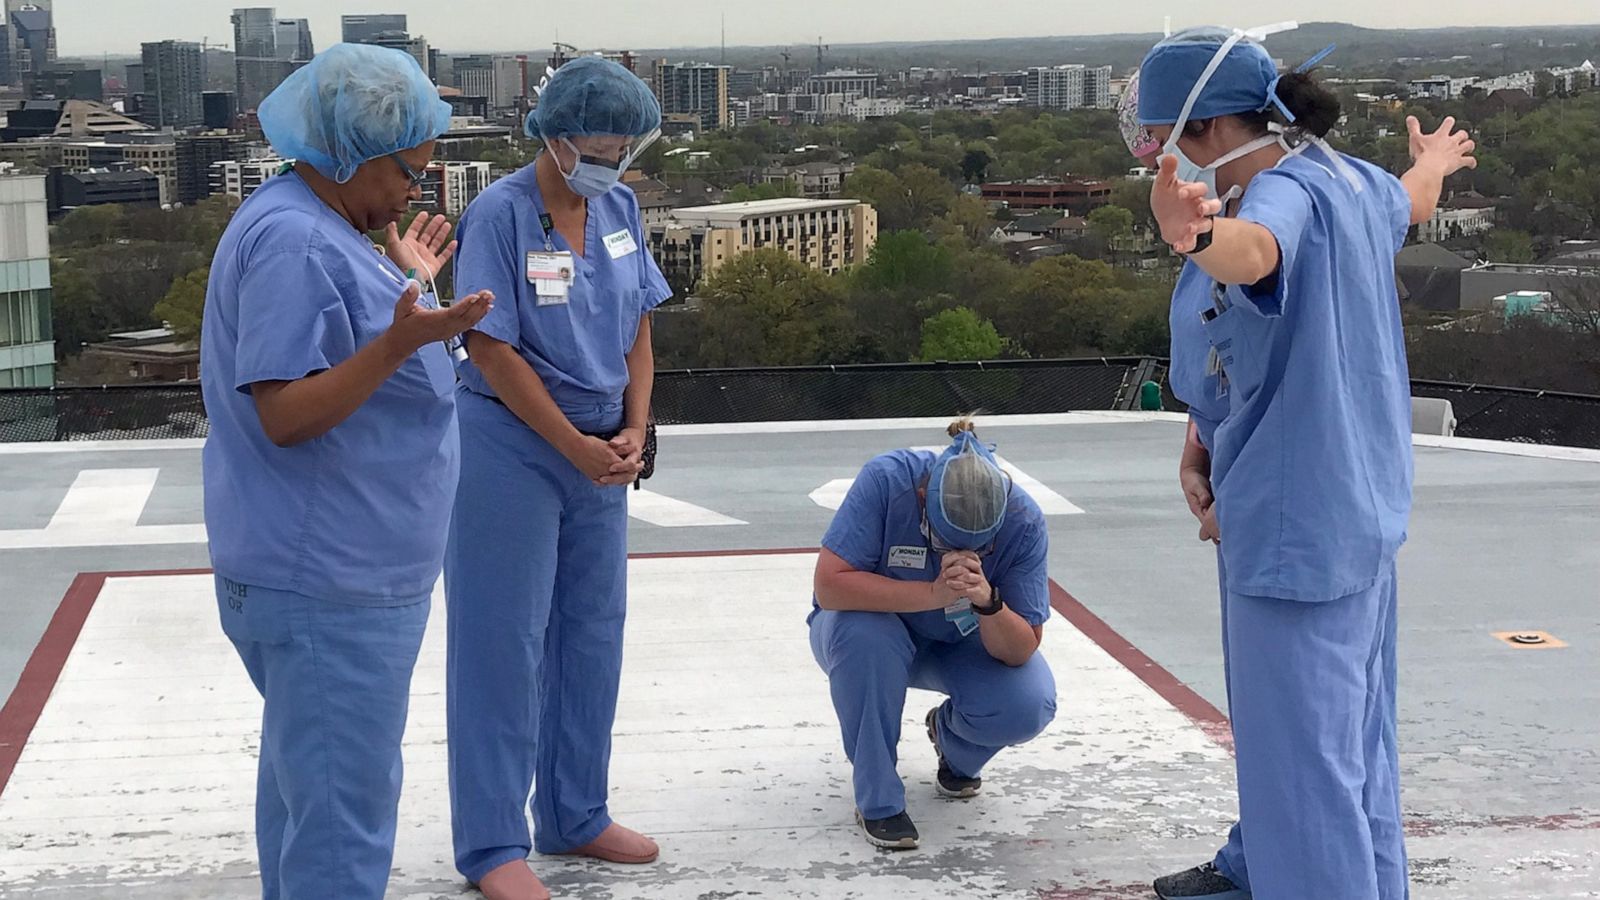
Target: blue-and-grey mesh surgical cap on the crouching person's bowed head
967	494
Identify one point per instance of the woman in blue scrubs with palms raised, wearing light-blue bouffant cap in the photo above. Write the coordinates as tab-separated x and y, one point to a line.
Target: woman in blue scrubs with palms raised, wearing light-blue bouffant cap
330	467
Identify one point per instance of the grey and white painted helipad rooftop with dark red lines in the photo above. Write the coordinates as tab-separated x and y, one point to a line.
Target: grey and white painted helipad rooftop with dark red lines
129	739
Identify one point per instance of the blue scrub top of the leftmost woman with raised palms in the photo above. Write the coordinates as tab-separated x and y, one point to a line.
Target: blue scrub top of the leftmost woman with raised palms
361	513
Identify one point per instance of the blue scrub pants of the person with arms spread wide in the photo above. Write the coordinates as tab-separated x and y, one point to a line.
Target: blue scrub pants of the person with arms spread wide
1311	693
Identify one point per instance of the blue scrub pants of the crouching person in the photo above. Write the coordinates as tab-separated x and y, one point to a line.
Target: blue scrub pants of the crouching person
873	657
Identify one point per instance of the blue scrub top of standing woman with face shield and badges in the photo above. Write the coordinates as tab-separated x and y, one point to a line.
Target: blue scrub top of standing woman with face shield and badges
577	348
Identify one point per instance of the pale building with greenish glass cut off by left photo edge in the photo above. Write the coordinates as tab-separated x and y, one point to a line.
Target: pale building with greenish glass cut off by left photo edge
28	350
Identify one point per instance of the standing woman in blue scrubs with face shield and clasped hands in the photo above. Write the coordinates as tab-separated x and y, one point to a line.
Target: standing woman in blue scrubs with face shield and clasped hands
554	408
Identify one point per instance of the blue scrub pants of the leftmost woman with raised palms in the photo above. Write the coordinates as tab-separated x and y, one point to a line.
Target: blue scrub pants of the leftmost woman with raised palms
337	681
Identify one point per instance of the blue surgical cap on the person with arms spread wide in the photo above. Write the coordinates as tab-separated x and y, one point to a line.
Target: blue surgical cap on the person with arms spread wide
1244	82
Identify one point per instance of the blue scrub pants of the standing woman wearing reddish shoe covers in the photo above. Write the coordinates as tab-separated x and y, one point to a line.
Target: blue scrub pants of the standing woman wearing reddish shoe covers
537	593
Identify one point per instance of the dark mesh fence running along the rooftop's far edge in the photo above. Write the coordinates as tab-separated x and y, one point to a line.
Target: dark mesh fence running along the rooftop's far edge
150	412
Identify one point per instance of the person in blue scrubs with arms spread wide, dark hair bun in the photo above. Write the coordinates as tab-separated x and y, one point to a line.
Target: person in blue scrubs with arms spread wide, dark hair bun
1289	350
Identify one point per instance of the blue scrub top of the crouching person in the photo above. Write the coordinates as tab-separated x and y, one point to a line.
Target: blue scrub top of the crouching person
879	529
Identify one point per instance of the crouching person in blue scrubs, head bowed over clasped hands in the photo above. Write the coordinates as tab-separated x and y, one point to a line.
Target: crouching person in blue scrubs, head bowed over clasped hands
934	576
